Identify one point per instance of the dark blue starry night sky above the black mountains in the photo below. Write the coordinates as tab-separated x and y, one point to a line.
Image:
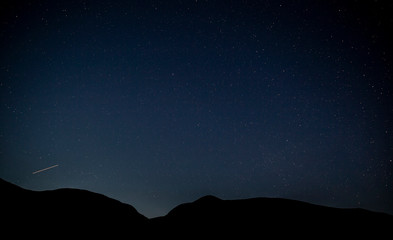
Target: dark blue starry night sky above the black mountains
156	103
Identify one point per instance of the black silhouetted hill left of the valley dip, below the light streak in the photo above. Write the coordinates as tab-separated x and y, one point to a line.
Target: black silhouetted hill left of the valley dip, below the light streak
66	211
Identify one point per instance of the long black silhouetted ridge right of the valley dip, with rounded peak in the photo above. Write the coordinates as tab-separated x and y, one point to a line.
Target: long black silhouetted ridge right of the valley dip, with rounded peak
261	217
